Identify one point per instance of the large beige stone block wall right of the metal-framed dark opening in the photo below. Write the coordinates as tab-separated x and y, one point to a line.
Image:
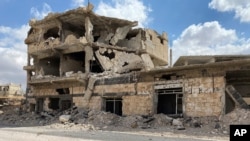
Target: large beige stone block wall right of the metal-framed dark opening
204	96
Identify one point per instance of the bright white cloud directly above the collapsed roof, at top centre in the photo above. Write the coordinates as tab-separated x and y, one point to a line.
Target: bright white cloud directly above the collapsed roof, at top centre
134	10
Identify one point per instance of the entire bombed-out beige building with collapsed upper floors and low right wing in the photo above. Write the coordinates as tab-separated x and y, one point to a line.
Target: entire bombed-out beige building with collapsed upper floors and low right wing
79	58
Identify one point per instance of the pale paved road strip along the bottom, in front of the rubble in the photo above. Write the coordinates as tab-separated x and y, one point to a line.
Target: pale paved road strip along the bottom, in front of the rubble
47	134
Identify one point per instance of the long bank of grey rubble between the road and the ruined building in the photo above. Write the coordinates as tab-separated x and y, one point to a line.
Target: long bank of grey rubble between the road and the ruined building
99	120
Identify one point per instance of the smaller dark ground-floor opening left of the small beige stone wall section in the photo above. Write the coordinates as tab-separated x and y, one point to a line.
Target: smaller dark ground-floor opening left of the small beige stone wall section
114	105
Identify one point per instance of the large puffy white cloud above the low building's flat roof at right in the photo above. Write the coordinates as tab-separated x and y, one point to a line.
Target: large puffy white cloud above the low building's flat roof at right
209	38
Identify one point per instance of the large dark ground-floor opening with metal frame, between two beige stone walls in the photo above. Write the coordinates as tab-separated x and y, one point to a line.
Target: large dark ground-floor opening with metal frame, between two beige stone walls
170	101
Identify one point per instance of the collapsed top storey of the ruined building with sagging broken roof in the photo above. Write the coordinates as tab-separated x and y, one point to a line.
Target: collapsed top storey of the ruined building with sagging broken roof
72	30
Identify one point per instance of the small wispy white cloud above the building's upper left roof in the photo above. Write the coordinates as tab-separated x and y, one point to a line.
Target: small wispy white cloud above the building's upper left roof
41	14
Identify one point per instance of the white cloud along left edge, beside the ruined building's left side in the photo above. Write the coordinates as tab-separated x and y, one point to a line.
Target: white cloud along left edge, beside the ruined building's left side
13	54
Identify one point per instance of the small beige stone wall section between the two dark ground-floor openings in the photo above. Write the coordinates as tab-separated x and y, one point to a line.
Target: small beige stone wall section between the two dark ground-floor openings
137	105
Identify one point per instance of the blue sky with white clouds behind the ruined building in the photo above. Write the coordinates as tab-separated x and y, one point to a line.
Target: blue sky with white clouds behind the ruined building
194	27
